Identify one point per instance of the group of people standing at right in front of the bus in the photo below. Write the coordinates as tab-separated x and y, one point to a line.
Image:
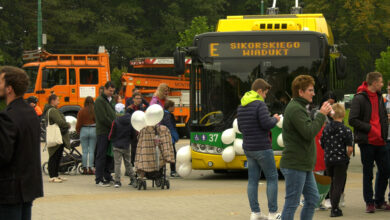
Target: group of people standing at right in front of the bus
318	143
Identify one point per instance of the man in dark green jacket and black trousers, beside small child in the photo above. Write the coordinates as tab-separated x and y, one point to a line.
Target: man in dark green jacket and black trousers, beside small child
105	115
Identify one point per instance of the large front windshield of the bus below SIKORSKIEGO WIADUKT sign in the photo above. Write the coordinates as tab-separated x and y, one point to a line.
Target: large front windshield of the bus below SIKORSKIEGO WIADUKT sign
219	86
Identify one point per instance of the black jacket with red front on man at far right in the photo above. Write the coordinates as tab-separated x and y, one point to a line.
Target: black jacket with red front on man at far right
368	117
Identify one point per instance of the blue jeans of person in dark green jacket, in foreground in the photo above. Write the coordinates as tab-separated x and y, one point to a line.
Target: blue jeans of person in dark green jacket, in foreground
299	182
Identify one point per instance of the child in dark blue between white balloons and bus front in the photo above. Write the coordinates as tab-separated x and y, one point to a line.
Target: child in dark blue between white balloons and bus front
169	121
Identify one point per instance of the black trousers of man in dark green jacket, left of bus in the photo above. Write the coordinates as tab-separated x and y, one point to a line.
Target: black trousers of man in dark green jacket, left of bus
103	162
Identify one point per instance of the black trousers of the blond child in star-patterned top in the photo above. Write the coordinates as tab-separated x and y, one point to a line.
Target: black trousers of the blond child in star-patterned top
338	173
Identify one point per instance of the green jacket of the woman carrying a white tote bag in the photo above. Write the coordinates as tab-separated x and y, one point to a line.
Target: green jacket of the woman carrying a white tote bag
55	116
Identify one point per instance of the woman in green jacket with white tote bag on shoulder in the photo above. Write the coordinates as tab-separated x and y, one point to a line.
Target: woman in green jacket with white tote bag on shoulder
54	116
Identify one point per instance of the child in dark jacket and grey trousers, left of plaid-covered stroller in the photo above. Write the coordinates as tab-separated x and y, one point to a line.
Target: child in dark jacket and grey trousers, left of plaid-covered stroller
121	136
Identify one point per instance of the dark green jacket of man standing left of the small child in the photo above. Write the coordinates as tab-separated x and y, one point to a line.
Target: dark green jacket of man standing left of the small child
104	114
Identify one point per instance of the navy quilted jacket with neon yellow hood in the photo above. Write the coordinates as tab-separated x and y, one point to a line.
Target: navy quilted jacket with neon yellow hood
255	122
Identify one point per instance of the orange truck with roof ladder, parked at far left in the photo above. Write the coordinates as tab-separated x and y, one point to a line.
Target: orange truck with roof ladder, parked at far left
72	77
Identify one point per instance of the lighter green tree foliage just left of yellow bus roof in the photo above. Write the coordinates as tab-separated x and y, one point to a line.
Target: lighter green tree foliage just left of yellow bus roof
198	25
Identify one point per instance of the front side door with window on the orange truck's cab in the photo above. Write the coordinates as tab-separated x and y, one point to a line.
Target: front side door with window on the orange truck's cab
54	81
